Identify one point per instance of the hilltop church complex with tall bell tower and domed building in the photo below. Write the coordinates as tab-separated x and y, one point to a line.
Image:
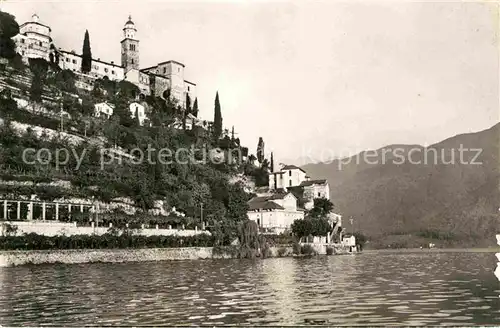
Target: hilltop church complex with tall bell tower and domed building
165	79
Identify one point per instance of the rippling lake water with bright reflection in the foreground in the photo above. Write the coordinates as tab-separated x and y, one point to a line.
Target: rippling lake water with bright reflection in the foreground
372	288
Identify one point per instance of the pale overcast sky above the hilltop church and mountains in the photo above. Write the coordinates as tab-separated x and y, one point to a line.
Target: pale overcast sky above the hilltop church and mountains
310	77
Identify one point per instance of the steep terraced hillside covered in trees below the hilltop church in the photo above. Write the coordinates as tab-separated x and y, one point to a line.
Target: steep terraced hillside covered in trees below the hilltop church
155	173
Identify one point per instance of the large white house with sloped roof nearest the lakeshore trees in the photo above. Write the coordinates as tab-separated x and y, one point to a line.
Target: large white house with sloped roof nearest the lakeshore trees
275	213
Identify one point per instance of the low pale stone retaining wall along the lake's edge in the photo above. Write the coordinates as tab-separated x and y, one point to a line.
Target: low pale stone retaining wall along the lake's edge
79	256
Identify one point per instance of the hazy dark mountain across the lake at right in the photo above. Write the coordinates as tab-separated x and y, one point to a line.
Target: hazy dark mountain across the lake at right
435	195
